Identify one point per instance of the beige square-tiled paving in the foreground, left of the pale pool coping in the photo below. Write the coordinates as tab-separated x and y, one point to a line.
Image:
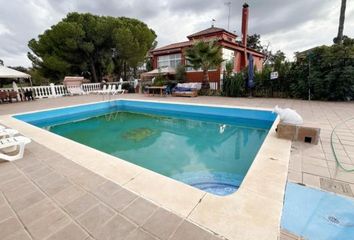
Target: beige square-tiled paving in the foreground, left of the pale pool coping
45	196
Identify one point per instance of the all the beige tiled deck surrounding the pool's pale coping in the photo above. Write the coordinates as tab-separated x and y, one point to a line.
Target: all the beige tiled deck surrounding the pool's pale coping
48	188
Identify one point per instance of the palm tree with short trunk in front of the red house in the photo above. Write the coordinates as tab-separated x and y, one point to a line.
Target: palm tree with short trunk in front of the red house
204	55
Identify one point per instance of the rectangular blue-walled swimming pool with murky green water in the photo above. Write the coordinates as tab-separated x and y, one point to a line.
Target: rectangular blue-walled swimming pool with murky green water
210	148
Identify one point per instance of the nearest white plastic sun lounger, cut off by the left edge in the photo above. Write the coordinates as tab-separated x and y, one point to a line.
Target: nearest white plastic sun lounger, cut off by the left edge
13	144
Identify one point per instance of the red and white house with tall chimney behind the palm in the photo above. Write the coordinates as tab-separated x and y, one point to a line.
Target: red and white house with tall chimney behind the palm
174	54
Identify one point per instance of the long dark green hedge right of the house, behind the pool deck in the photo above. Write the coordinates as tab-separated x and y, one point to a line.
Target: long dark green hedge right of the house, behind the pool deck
327	73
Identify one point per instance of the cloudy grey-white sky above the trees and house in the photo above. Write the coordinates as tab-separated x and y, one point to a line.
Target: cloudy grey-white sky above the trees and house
287	25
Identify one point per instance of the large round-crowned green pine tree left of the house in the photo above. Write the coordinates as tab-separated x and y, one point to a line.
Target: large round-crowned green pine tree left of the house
97	44
